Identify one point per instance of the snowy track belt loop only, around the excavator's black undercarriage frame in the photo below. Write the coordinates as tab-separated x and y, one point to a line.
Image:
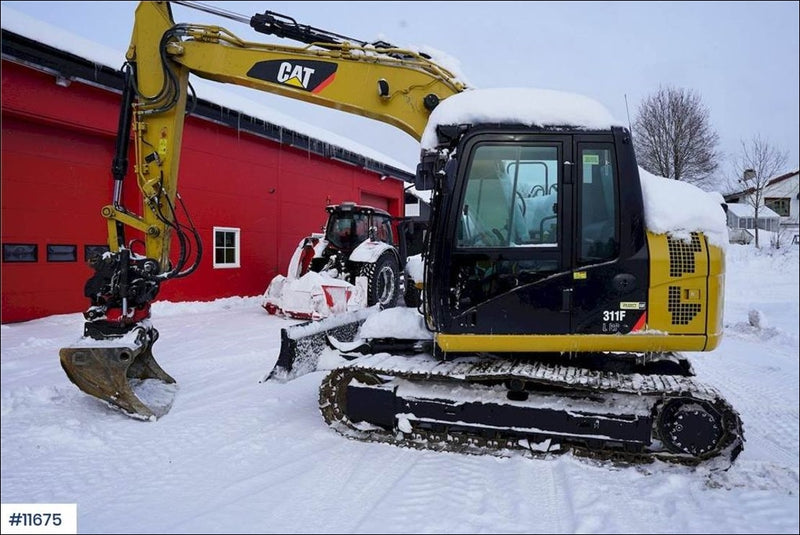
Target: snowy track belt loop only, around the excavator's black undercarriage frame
660	388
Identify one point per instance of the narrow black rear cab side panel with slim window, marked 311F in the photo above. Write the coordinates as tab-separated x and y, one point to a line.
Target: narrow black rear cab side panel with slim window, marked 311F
609	291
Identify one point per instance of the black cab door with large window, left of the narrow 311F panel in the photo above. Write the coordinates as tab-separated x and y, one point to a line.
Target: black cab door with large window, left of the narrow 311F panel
503	263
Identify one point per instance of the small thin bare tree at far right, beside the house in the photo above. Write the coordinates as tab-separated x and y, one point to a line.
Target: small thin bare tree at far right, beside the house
758	163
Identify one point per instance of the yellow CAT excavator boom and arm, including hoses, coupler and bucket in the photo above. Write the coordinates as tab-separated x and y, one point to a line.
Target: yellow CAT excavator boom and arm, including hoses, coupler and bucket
113	360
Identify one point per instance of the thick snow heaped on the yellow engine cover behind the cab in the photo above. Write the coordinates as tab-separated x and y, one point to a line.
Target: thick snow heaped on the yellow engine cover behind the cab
678	208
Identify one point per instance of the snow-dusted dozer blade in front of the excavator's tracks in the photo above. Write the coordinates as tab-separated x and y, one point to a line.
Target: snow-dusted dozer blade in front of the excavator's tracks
302	345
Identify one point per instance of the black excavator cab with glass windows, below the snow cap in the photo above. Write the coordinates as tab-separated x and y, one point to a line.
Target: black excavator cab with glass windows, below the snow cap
539	233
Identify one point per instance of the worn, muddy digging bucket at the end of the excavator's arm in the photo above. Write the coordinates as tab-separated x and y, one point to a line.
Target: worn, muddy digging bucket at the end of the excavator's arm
122	372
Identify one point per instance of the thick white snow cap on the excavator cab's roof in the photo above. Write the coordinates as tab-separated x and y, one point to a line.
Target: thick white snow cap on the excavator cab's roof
526	106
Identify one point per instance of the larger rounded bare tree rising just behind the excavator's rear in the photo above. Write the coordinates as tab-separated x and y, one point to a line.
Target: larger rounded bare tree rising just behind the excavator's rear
673	136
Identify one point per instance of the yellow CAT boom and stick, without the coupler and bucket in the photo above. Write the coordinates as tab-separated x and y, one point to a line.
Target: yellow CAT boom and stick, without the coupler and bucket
398	87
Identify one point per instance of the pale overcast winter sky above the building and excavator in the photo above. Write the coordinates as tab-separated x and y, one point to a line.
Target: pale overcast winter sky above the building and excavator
741	57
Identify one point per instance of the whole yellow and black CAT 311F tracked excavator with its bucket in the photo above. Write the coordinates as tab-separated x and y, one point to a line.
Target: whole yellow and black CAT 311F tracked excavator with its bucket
554	317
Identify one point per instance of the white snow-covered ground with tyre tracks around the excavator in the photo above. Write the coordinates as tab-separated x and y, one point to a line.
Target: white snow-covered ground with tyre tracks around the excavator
238	456
